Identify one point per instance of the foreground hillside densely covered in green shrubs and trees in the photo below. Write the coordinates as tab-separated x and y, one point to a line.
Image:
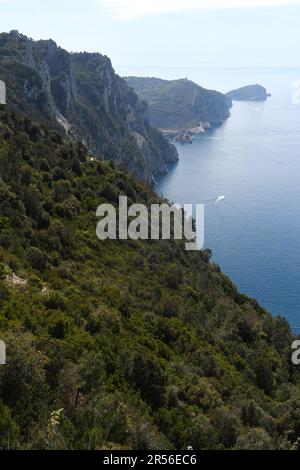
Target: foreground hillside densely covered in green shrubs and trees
123	345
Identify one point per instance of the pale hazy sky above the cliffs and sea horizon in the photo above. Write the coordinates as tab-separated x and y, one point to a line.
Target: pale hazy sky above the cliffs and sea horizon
165	32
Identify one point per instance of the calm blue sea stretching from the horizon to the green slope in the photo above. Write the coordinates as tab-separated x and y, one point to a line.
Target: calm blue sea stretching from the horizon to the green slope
254	160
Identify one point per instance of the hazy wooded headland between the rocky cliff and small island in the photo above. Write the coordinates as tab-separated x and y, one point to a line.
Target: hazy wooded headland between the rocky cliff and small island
180	104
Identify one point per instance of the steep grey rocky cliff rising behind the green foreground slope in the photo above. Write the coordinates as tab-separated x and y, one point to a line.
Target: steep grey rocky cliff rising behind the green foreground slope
81	94
